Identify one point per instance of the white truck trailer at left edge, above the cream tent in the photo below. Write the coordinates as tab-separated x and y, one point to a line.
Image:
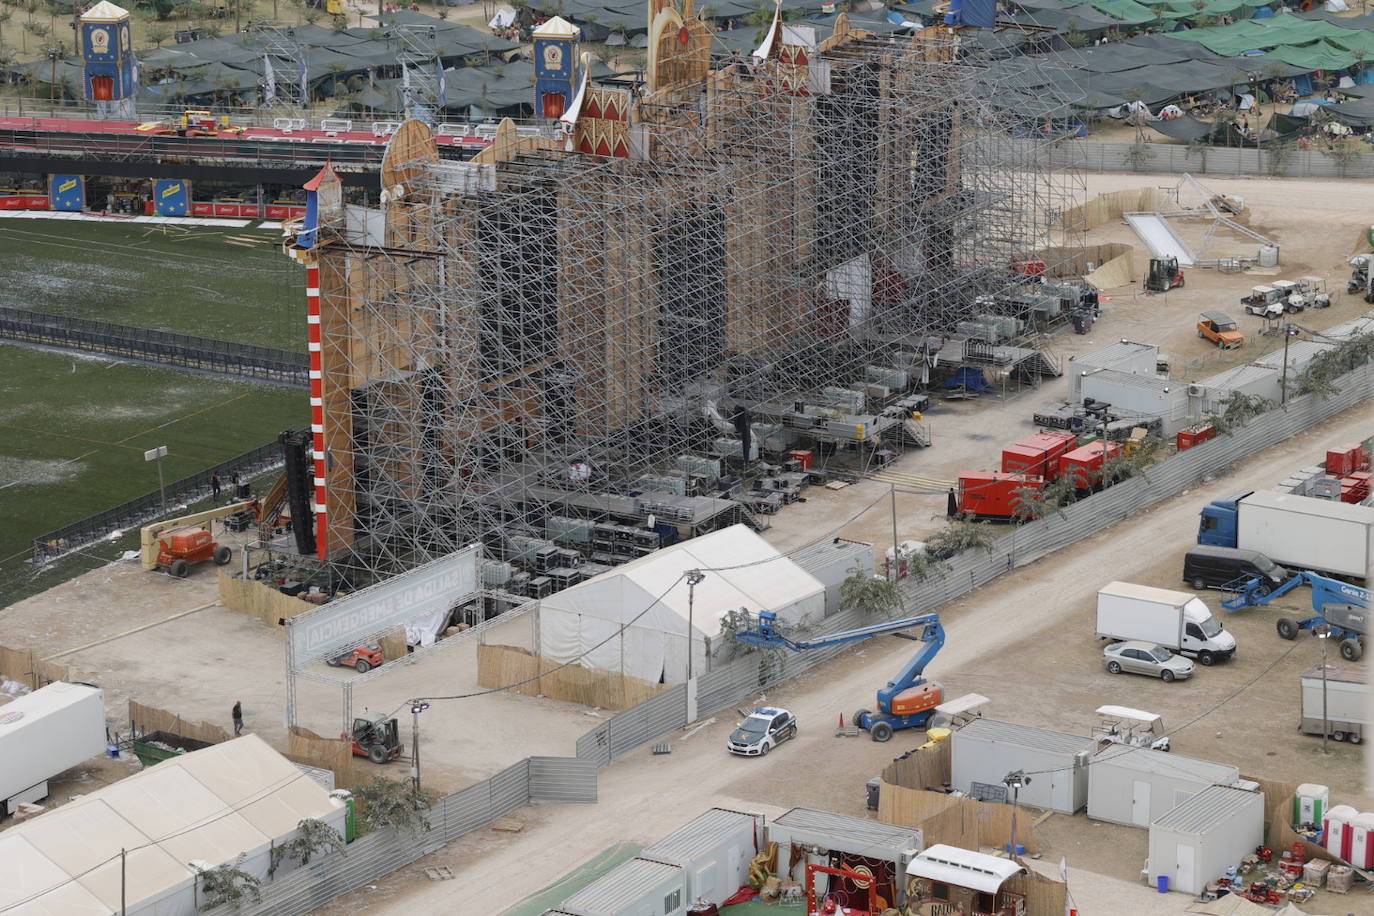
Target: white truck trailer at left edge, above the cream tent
43	734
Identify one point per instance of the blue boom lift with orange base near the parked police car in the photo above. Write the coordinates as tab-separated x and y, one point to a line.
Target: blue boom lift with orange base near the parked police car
909	701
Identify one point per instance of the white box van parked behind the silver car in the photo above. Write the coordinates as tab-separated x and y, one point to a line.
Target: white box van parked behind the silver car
1177	621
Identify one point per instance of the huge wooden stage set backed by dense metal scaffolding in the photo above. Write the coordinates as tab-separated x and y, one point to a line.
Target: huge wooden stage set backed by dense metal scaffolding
740	257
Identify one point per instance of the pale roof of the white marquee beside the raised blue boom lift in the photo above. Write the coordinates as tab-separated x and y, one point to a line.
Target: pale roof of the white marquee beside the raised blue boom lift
762	579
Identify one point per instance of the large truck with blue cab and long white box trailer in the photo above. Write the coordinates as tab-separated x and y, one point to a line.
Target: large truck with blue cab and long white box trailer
1298	532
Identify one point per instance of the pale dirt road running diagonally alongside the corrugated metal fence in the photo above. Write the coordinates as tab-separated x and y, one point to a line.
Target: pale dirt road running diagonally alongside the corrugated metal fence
645	797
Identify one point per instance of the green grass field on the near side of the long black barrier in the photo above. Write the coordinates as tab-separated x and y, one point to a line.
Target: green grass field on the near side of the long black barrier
74	431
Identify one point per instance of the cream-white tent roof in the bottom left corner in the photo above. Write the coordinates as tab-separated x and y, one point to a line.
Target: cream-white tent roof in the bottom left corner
210	805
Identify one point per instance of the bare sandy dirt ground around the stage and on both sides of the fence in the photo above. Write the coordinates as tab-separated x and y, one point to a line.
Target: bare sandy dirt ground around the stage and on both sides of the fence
1023	641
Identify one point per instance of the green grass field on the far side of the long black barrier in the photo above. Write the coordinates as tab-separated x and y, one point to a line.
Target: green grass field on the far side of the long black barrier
197	281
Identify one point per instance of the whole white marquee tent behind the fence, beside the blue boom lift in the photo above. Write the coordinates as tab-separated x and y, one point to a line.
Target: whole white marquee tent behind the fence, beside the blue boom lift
653	594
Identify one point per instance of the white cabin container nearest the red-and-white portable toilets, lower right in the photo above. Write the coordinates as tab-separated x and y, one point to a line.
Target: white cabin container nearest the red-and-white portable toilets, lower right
1196	843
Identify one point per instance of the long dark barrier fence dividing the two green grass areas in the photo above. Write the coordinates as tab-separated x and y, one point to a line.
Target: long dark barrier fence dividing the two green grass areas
164	348
